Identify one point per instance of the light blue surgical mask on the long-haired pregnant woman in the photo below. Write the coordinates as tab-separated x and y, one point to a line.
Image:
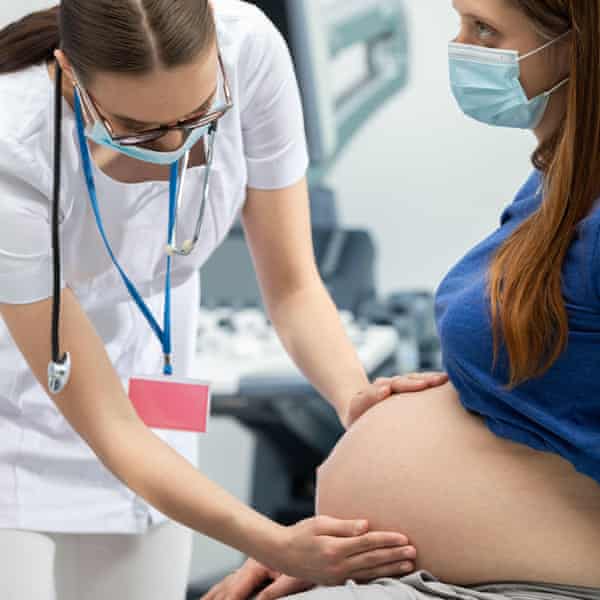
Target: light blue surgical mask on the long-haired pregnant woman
487	86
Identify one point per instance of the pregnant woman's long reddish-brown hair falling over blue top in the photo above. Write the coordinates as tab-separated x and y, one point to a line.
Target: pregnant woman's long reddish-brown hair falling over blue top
525	286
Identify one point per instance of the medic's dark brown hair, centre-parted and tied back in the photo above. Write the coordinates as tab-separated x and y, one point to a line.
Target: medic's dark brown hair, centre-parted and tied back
124	36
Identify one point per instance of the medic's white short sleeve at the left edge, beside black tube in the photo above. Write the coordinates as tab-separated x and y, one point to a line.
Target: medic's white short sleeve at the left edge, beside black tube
25	240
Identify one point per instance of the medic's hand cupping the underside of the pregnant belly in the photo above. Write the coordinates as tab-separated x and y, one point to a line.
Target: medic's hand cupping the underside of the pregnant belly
329	551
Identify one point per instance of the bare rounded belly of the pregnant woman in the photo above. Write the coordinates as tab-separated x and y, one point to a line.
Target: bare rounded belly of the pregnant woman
478	508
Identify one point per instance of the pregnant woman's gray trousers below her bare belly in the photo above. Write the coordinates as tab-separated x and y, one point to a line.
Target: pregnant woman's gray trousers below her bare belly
421	585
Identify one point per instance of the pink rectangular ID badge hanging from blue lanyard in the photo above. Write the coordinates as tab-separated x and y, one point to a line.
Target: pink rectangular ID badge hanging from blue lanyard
171	403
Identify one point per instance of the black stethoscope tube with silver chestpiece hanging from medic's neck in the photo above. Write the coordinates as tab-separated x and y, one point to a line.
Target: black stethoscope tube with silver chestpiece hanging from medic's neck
59	369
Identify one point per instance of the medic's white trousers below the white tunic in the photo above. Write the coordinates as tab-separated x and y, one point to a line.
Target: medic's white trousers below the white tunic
50	566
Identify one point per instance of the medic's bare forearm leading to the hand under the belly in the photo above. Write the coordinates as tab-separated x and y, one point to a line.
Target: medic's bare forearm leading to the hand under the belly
157	473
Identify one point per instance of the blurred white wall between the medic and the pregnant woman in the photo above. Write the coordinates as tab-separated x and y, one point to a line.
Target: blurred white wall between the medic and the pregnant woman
427	181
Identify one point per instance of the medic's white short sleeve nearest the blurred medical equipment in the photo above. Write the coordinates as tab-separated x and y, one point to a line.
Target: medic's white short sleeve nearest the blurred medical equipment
272	118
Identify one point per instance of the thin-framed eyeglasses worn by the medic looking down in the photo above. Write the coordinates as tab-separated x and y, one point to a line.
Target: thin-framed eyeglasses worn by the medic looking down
151	135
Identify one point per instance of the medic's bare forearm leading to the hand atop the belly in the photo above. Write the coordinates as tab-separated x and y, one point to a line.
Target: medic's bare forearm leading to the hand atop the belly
308	324
